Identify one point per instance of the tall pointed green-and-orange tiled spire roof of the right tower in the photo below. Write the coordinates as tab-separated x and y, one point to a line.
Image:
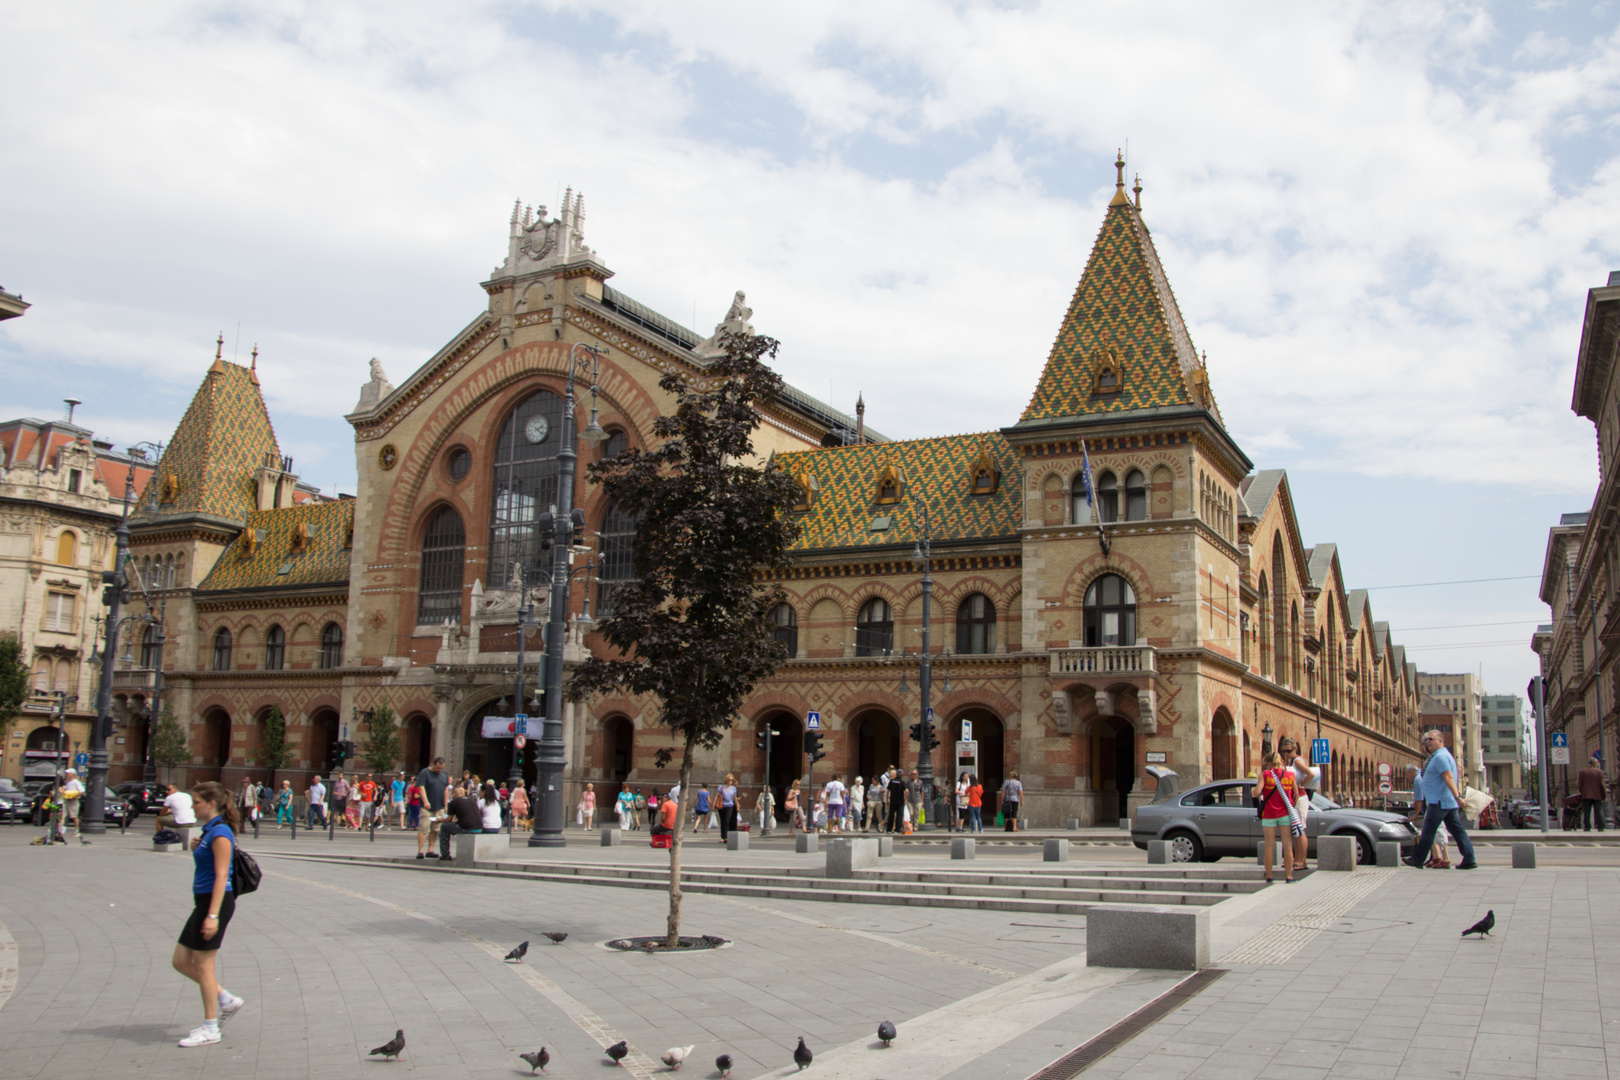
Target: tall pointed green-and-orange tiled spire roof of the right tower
1123	344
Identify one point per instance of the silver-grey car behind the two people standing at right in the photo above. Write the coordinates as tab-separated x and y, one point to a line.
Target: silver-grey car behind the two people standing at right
1217	820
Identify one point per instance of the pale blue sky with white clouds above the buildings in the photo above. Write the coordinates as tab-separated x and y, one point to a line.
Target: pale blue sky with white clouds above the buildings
1381	223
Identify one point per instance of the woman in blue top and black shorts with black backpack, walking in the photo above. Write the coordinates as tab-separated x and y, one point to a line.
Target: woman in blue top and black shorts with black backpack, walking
213	903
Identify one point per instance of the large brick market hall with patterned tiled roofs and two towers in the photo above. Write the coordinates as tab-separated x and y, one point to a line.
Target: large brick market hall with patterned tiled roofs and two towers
1175	619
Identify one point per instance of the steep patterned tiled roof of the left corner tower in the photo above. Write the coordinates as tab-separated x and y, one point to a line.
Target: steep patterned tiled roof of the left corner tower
221	441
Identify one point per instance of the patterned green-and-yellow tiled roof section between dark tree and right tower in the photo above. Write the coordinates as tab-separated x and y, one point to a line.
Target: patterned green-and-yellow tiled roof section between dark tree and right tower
932	472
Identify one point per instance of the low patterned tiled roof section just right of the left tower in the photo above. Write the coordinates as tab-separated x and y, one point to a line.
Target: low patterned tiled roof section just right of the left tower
268	559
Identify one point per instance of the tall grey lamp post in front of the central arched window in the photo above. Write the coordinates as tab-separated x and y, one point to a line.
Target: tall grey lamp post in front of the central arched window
550	765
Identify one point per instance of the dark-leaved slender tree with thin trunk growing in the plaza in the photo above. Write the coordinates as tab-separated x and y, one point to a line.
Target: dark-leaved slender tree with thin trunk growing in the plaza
693	626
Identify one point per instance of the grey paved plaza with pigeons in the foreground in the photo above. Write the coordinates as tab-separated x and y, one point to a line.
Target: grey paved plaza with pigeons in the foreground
1339	976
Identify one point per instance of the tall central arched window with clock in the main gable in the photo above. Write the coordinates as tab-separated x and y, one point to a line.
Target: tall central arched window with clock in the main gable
526	482
